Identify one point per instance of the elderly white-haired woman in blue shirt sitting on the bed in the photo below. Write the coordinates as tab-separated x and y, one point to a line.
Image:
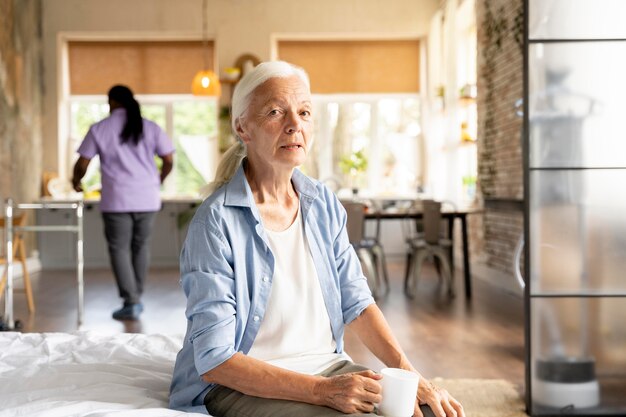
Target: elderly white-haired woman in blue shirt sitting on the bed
272	280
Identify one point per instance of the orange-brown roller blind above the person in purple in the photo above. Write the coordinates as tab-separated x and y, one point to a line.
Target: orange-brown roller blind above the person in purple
162	67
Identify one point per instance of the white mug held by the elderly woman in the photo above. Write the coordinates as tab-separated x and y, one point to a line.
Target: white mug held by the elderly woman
399	392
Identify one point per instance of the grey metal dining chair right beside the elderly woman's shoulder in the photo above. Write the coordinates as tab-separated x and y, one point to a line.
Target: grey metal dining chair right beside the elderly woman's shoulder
368	249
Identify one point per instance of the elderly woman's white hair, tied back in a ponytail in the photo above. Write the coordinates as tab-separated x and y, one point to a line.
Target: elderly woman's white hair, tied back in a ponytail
242	97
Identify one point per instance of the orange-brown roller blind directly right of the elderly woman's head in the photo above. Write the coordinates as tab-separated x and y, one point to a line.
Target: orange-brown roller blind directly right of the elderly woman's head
380	66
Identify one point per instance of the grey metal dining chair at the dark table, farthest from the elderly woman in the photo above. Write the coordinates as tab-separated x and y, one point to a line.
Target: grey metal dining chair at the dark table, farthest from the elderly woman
429	244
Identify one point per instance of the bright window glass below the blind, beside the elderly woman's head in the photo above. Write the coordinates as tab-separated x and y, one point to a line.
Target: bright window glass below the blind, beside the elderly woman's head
369	142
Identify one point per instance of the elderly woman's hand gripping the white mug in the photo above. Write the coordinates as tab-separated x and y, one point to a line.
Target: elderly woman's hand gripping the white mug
350	393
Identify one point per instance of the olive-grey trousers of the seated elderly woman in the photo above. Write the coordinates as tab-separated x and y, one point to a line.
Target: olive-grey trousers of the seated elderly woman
225	402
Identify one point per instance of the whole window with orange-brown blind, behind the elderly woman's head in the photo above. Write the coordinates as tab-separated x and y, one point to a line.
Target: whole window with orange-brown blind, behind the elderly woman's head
367	117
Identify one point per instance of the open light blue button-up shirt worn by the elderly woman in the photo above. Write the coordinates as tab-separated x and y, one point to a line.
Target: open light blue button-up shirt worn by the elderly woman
226	270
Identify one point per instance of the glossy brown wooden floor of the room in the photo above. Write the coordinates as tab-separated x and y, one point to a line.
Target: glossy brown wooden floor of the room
454	338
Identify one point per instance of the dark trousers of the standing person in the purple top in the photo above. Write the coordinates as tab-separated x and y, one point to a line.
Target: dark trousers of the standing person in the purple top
128	239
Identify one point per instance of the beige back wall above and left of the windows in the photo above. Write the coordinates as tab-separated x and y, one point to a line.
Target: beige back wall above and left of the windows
237	26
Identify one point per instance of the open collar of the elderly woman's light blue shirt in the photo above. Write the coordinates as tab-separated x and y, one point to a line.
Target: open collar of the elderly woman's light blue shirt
238	192
